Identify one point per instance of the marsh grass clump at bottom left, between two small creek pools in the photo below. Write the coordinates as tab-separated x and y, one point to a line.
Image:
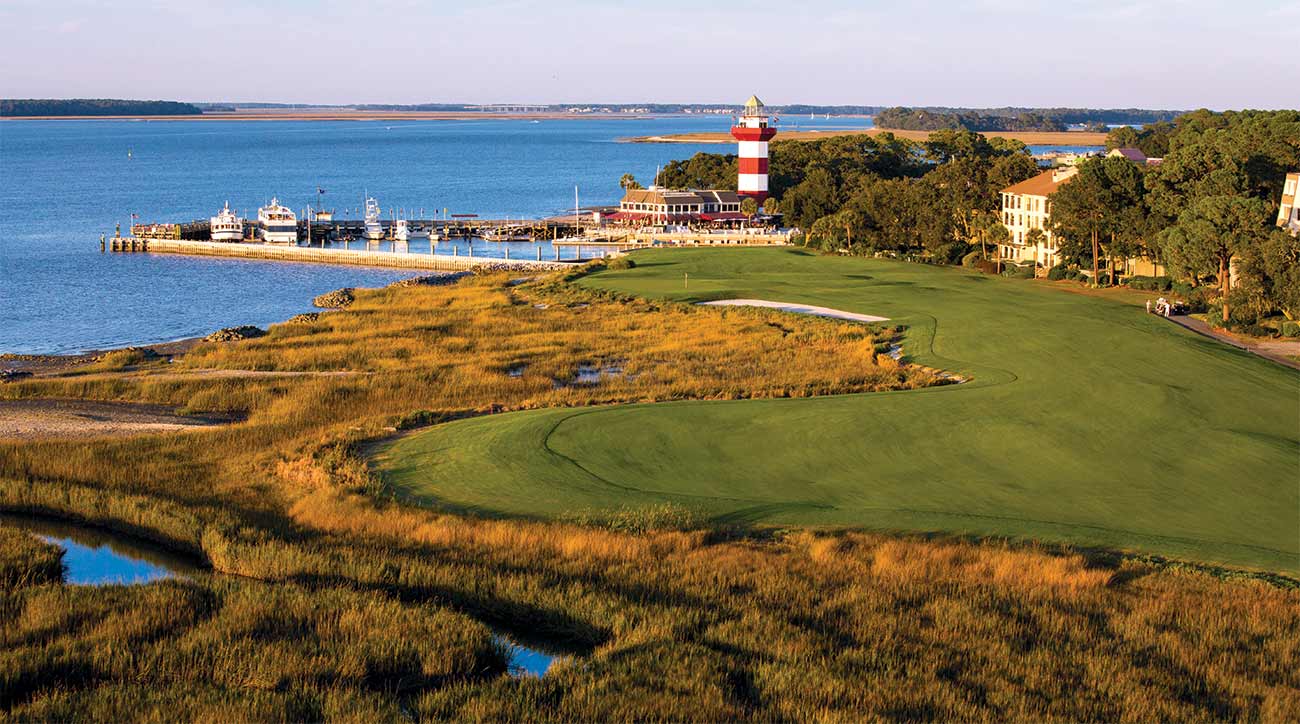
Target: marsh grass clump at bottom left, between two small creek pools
278	652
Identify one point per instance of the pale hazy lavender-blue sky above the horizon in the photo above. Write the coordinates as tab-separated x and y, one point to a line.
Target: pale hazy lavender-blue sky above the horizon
1151	54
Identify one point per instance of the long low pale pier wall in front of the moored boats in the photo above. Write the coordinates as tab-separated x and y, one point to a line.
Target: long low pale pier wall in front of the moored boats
318	255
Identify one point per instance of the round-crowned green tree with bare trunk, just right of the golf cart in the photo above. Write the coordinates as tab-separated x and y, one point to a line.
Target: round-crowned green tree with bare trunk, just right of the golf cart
1212	232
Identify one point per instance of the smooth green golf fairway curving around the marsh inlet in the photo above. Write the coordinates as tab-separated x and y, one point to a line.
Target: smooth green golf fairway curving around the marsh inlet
1087	423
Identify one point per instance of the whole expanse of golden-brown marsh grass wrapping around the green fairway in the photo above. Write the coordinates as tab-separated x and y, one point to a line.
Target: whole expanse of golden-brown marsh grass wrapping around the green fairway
344	604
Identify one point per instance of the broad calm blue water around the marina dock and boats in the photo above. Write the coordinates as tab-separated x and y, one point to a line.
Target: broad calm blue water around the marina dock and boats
63	184
